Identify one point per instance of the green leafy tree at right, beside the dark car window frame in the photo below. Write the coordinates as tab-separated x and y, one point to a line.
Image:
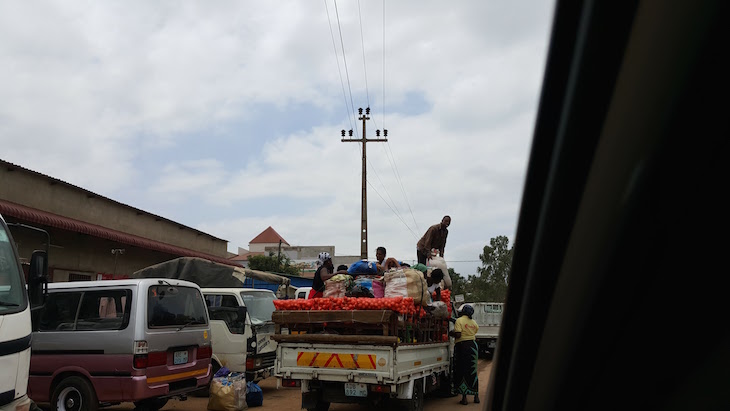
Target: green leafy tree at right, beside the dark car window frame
491	282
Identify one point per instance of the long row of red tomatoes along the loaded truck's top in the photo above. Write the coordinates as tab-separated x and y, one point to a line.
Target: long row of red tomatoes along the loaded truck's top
403	305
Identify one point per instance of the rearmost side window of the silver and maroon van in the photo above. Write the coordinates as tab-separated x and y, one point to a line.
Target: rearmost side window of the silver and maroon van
104	310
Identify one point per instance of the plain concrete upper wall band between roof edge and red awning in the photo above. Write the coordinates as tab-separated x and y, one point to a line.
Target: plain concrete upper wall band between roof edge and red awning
41	192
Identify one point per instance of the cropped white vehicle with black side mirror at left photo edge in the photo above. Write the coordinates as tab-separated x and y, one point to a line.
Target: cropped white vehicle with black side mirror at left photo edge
15	317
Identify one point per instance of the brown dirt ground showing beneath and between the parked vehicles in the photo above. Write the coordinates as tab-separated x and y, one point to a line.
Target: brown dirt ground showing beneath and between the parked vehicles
289	399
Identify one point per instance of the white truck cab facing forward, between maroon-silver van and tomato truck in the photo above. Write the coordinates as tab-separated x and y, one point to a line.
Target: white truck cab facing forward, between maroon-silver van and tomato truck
241	325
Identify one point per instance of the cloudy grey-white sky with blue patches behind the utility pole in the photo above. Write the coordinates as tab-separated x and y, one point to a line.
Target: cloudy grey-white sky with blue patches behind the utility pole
225	116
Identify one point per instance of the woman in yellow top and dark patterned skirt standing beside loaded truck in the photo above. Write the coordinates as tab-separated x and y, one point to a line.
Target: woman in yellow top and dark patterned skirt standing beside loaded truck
466	355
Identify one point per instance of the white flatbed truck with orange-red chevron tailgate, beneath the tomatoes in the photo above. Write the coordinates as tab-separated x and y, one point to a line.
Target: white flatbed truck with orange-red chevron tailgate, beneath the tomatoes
345	363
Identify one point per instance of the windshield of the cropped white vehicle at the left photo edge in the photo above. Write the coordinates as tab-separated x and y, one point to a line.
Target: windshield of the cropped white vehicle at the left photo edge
12	289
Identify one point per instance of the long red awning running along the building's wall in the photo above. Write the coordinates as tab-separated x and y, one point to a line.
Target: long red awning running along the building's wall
53	220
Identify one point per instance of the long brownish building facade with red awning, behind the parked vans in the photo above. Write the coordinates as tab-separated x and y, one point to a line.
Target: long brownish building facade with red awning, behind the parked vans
91	236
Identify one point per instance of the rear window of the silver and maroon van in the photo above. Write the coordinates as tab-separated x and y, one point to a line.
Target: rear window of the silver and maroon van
174	306
